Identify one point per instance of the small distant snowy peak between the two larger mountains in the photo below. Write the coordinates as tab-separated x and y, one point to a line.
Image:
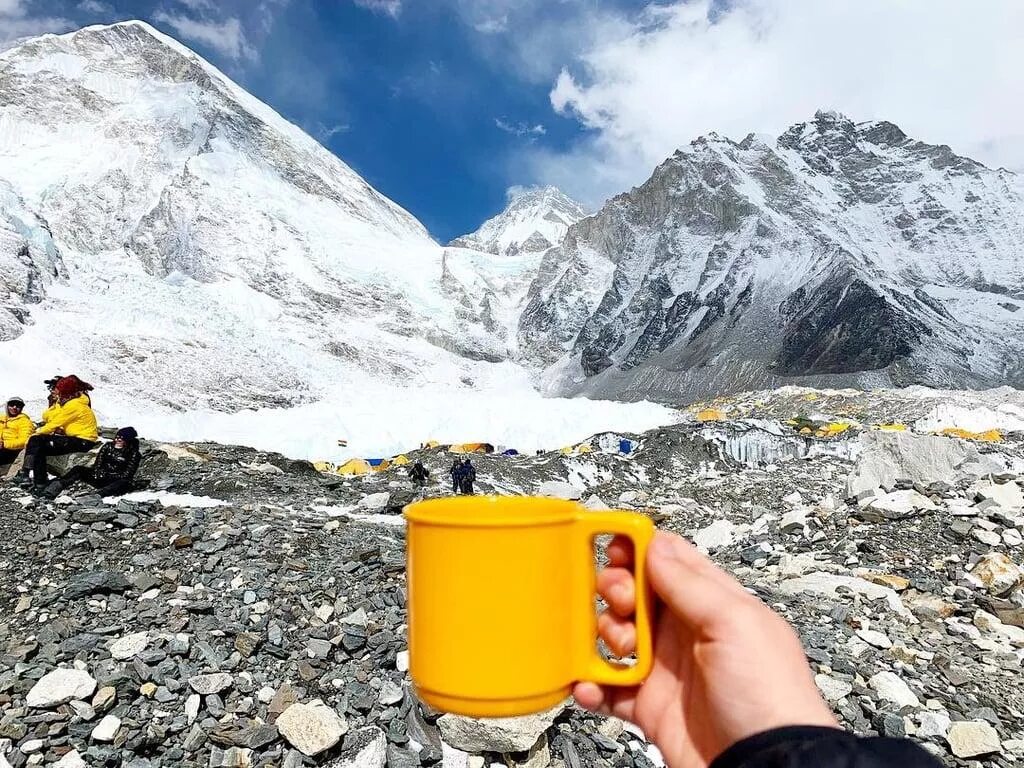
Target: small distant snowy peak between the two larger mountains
534	221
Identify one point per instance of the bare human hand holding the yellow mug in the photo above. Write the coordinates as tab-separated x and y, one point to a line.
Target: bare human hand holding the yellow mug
726	666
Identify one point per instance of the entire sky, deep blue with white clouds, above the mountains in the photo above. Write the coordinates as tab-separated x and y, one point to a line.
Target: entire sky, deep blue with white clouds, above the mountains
445	105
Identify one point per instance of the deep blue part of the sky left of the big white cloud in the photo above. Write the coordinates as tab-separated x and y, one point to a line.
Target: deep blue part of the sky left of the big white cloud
431	102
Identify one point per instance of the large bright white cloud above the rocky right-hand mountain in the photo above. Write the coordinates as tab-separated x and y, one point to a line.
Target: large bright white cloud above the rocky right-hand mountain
946	71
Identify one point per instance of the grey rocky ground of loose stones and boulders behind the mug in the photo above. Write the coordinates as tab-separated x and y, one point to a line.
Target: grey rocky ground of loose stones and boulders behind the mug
246	610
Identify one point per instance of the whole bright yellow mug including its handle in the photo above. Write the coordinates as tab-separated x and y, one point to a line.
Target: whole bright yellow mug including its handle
502	603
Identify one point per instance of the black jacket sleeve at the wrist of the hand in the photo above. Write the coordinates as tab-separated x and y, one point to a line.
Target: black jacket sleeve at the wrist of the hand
807	747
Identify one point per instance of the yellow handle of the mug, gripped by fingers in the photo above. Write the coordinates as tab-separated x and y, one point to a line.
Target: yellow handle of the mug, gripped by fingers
639	530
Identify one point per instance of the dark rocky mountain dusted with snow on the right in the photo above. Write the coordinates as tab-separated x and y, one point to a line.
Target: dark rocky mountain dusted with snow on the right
840	253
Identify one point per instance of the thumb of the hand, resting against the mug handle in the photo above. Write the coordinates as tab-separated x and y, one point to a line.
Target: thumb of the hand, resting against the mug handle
694	588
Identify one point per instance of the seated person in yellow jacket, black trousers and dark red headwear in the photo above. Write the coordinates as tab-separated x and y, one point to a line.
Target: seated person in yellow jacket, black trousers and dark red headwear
70	429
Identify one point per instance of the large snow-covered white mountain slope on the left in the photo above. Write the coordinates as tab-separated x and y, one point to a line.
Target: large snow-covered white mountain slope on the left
164	232
